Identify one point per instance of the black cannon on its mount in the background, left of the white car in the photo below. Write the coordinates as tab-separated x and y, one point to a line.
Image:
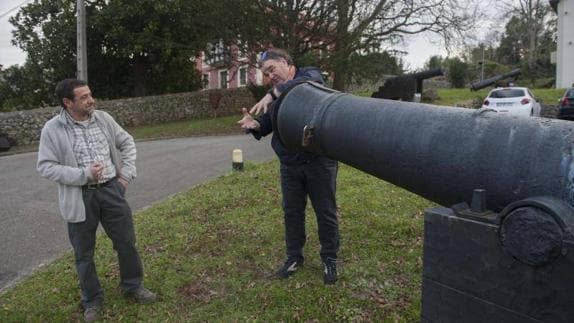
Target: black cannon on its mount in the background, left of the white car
404	87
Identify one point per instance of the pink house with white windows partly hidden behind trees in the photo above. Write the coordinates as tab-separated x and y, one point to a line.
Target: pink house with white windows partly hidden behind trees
225	67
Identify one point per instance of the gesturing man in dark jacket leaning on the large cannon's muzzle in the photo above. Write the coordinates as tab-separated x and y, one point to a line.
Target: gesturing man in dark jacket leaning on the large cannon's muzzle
302	174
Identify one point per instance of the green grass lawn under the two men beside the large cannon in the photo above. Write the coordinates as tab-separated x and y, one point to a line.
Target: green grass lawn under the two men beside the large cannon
208	254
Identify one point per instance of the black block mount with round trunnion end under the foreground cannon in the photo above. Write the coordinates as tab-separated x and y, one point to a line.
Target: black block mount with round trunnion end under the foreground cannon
514	268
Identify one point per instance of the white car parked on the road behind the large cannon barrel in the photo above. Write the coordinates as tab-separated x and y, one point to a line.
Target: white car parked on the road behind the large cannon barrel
512	101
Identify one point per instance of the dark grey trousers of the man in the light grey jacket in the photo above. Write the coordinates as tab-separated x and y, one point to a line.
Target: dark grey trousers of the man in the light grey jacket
105	205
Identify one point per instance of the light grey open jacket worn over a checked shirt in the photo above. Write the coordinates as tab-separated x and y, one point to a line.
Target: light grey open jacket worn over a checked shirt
56	160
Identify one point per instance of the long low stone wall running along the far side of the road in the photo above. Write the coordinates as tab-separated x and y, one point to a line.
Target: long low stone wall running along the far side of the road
25	126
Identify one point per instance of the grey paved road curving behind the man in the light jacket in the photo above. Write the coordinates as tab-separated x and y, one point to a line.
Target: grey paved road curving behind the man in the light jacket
32	232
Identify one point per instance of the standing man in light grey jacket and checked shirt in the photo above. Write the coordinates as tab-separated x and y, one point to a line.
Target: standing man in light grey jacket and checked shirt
92	159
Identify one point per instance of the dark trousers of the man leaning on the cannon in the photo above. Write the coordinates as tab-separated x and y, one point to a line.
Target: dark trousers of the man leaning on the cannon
317	180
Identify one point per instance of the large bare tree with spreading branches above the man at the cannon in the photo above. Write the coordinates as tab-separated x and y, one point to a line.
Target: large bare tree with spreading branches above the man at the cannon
339	28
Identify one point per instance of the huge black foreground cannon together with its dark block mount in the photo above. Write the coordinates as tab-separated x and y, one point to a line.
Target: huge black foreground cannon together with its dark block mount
502	248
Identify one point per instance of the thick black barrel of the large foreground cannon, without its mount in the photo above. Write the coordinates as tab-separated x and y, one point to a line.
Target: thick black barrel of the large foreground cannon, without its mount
440	153
